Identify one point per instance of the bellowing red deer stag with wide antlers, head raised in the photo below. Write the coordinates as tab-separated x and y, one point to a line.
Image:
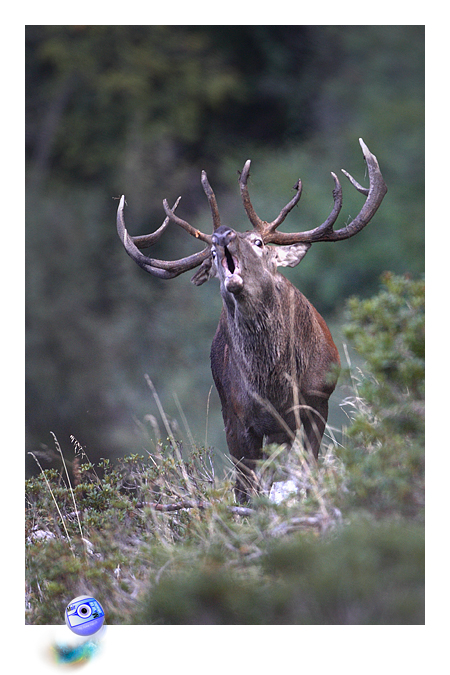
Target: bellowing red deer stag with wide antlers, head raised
273	359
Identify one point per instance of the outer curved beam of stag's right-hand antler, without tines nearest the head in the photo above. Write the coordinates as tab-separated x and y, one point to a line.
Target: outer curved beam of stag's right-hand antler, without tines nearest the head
374	196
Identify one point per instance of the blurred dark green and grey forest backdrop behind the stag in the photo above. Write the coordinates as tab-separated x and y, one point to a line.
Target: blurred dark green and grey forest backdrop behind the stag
140	111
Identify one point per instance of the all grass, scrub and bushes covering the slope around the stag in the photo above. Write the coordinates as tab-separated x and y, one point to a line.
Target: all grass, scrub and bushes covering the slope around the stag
158	538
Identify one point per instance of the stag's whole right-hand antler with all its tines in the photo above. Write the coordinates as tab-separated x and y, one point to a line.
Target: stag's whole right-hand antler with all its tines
375	193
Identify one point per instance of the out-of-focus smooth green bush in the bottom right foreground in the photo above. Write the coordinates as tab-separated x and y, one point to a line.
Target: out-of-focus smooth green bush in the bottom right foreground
362	574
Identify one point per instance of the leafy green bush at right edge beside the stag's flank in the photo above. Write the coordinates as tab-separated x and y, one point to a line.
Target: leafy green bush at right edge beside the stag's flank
384	455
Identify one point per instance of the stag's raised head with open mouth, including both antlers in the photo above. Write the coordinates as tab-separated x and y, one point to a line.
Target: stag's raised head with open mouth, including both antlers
246	262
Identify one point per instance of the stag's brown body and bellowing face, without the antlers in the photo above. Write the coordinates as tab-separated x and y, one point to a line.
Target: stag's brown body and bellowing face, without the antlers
273	359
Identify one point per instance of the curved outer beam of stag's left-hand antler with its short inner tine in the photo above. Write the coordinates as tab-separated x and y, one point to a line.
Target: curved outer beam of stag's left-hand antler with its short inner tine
163	269
